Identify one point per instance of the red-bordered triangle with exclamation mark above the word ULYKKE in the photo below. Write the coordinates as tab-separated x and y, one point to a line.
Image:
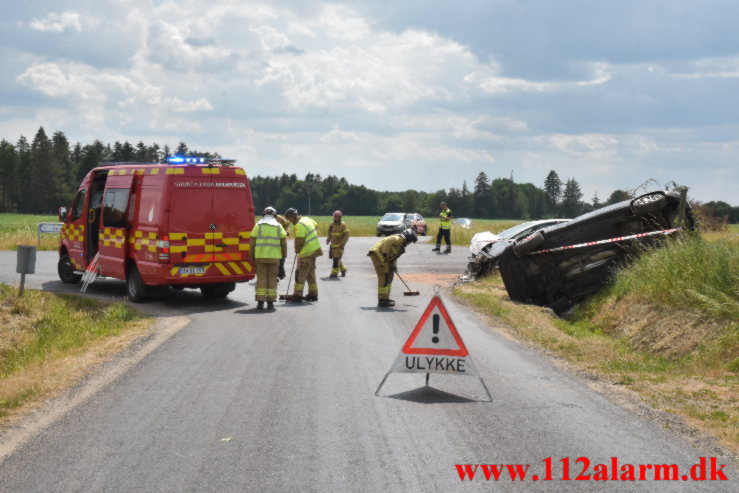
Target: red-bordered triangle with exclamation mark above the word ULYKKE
435	333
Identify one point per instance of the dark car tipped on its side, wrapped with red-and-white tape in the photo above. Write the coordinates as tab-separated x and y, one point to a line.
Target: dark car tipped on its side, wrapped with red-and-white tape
561	265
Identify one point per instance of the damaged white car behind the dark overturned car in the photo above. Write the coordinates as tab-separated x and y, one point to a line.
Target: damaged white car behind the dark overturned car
486	247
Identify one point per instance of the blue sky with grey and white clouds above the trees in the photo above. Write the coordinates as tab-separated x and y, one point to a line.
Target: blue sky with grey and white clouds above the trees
393	94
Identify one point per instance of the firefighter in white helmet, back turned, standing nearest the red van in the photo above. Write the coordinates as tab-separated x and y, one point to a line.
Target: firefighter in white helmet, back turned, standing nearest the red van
269	247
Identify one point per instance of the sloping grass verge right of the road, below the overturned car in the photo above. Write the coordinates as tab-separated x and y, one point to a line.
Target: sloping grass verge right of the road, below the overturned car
666	328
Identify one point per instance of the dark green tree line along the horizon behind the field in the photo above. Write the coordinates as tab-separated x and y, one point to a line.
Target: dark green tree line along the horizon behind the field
39	176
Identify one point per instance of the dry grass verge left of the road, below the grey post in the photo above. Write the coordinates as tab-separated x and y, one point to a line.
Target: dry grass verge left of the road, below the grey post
48	342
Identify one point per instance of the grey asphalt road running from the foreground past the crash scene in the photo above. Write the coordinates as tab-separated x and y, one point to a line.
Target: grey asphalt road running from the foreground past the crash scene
241	400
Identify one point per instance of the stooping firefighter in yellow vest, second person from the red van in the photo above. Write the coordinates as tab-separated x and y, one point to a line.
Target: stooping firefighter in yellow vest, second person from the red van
307	248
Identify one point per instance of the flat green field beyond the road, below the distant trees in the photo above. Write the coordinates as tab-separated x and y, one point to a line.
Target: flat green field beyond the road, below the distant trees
20	229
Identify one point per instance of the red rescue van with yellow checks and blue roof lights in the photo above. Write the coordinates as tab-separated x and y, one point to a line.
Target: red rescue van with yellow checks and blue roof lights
182	224
